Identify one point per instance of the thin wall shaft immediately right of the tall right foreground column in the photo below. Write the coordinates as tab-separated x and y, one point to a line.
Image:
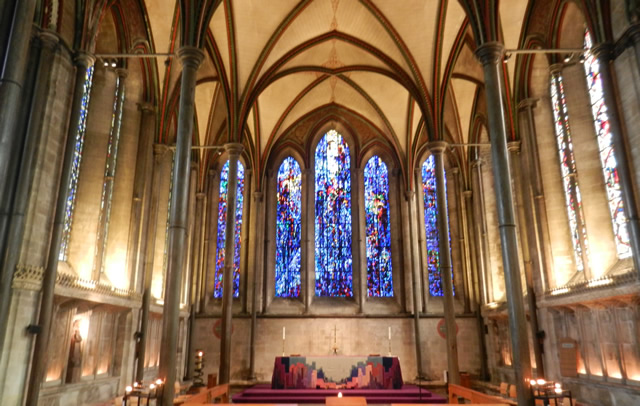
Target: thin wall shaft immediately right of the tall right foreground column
514	149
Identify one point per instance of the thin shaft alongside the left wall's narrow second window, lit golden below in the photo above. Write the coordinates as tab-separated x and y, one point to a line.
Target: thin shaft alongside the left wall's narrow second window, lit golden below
110	175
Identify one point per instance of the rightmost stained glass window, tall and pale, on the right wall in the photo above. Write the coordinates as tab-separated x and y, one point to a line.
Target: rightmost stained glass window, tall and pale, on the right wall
607	153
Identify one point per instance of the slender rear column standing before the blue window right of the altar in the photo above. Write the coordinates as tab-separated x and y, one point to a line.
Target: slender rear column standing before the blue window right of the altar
437	148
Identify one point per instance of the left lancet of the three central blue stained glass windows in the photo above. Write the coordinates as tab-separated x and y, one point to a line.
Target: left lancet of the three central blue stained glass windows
288	222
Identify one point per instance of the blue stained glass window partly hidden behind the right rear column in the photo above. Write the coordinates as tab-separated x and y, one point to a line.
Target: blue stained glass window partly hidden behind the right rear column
429	193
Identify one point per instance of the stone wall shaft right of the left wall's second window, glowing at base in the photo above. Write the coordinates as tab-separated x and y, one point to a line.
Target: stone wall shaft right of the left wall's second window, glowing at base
140	206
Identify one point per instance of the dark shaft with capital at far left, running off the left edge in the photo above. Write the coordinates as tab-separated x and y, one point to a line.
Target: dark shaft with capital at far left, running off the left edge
44	52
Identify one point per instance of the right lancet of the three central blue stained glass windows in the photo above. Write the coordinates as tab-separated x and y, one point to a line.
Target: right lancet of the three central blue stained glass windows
378	228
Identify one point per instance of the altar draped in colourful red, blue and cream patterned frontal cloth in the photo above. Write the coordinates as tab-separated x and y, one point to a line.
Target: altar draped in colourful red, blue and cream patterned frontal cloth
337	372
